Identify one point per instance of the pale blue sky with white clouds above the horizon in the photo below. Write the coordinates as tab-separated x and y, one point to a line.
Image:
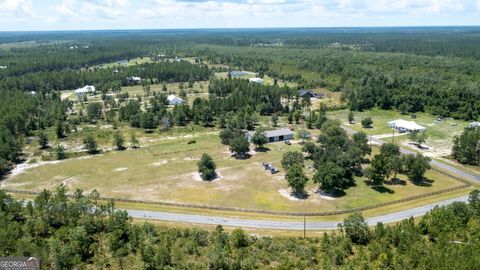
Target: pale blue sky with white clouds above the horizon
34	15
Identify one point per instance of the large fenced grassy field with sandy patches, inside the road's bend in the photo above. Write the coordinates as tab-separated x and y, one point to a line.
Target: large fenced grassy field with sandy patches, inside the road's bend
167	171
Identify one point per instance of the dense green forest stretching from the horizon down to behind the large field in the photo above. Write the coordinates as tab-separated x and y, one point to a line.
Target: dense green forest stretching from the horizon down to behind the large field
410	69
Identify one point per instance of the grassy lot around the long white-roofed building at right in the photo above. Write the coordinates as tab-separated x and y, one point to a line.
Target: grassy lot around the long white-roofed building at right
440	133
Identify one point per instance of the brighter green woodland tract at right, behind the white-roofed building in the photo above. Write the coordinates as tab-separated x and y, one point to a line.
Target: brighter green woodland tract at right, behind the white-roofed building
442	86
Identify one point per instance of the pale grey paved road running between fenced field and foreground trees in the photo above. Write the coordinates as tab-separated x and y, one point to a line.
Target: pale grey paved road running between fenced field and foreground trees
283	225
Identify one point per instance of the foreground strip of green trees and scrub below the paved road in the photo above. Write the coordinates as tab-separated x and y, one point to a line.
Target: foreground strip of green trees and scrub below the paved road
83	232
